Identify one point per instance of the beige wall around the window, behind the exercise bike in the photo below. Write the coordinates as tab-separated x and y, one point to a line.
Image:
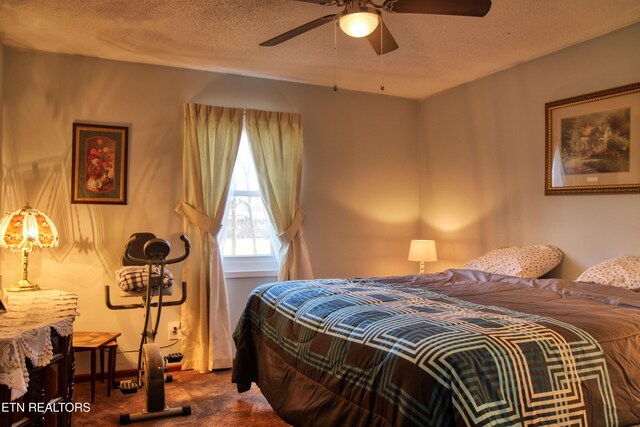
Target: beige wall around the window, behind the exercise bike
360	173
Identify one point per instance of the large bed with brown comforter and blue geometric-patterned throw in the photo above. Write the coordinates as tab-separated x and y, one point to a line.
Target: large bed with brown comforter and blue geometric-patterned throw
460	347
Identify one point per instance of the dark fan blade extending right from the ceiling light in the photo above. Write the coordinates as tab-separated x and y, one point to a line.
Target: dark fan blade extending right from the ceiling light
439	7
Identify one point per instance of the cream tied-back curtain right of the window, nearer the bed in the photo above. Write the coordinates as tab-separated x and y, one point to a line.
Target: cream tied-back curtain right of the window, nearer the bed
276	143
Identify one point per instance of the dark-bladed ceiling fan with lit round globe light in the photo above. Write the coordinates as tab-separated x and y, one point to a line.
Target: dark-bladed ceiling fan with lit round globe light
363	18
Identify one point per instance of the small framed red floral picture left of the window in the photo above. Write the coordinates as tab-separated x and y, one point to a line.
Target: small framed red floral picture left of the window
99	164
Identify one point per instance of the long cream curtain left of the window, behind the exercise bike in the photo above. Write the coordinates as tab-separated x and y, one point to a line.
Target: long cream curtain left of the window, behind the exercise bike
211	140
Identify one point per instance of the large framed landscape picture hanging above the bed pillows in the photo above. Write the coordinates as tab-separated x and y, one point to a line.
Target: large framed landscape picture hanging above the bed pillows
593	143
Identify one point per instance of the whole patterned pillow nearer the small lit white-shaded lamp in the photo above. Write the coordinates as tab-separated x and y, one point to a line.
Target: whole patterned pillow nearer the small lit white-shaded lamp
520	261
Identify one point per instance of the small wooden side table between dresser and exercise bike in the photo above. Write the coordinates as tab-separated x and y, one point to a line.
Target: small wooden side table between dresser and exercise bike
93	341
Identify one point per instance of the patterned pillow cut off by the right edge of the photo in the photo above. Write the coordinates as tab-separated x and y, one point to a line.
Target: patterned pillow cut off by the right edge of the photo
623	272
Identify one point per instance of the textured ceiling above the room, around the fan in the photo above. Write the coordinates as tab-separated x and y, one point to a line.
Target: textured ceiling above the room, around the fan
436	52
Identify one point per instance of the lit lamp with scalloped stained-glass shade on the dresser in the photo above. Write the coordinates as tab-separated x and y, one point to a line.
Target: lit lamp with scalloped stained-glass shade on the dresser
23	230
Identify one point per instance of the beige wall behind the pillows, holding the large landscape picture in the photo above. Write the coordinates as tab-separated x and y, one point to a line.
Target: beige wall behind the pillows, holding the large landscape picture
482	161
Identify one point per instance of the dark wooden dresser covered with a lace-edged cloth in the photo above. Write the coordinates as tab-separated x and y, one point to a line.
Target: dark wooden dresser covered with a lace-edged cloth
36	359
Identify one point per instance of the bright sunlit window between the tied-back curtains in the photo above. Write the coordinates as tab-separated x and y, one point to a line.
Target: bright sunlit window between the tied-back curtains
247	239
